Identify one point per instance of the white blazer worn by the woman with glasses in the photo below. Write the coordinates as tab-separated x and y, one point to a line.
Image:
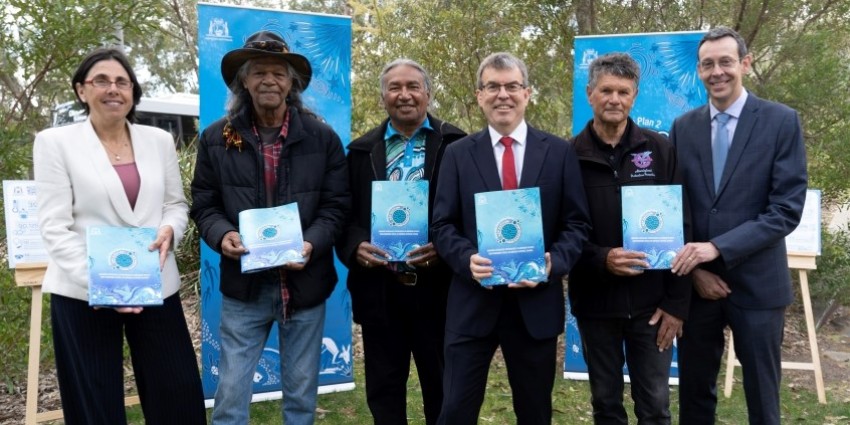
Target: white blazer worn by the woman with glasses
78	187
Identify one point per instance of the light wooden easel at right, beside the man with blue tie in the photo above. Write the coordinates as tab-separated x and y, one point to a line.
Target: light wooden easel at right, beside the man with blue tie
802	262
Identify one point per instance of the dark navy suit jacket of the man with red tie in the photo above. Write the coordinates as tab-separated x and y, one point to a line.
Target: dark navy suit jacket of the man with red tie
469	167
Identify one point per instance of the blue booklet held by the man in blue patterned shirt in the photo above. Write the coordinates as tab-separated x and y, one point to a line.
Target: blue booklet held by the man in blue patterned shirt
399	216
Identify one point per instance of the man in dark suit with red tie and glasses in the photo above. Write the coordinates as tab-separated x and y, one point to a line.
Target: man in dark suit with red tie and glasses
523	318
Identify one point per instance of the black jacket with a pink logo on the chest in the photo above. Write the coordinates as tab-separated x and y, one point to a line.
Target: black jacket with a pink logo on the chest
594	291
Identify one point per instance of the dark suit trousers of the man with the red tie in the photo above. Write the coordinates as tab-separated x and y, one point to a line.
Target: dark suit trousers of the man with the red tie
530	364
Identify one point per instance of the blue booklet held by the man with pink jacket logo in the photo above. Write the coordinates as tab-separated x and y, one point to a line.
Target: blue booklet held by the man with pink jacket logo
653	223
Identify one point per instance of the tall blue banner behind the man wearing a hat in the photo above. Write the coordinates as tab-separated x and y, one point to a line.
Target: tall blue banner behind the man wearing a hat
325	40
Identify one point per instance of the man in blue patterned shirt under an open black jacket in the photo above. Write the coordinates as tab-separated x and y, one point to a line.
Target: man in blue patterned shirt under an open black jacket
401	307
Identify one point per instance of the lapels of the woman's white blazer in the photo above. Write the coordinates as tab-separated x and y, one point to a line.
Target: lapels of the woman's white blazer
101	165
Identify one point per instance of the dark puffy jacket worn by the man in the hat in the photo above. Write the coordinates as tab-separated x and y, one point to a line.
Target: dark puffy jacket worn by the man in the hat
312	172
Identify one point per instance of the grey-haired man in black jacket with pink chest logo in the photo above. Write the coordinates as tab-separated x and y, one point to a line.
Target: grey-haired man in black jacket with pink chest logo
616	301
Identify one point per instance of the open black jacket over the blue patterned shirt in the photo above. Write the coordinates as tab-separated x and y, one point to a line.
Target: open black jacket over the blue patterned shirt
367	162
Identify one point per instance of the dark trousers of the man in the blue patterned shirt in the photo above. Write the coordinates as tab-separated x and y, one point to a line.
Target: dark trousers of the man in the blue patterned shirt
387	349
